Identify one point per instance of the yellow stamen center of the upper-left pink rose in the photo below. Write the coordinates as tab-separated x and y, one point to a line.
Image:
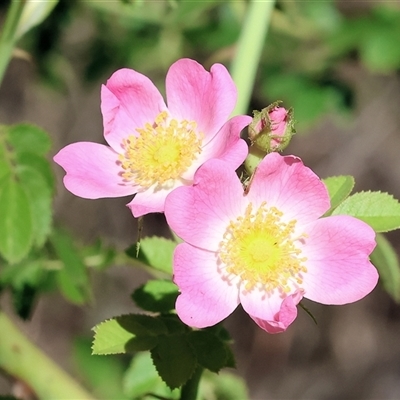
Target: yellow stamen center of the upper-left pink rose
161	152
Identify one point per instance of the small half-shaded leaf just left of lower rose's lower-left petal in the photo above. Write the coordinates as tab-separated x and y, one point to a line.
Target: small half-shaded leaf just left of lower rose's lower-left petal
156	296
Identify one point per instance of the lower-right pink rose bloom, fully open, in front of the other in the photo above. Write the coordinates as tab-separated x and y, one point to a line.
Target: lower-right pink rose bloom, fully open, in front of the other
267	249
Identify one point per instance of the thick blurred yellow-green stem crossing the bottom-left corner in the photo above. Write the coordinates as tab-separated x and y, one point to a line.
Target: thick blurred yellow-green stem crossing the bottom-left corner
23	360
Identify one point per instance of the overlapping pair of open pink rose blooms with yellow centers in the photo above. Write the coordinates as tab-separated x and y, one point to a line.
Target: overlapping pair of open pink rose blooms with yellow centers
265	249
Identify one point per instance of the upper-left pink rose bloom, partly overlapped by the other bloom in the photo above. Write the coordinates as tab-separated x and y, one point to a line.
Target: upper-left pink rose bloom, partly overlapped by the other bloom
155	148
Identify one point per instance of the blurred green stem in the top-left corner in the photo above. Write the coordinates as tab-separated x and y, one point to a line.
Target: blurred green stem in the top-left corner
7	37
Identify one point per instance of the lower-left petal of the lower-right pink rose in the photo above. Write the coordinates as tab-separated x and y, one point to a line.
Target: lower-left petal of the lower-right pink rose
205	298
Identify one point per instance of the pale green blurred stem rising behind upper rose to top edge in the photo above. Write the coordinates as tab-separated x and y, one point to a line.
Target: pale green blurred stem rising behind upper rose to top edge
249	49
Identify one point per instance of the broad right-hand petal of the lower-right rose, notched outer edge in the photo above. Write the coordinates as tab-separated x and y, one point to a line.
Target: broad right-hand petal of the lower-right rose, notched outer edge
337	250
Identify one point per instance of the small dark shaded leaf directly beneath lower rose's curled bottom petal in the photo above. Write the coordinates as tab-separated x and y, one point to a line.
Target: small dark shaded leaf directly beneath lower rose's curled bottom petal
210	351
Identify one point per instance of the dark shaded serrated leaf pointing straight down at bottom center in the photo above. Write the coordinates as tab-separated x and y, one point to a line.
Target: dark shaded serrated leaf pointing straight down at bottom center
174	360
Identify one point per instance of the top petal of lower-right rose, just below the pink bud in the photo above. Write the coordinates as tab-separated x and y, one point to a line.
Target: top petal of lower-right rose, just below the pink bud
284	182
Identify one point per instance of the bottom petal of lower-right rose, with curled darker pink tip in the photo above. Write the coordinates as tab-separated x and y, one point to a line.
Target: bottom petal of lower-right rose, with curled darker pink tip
272	313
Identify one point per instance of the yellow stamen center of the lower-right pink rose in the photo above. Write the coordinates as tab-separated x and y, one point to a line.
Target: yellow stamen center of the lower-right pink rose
260	249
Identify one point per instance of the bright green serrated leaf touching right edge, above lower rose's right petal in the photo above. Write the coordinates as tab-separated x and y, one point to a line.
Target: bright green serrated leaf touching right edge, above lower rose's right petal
380	210
